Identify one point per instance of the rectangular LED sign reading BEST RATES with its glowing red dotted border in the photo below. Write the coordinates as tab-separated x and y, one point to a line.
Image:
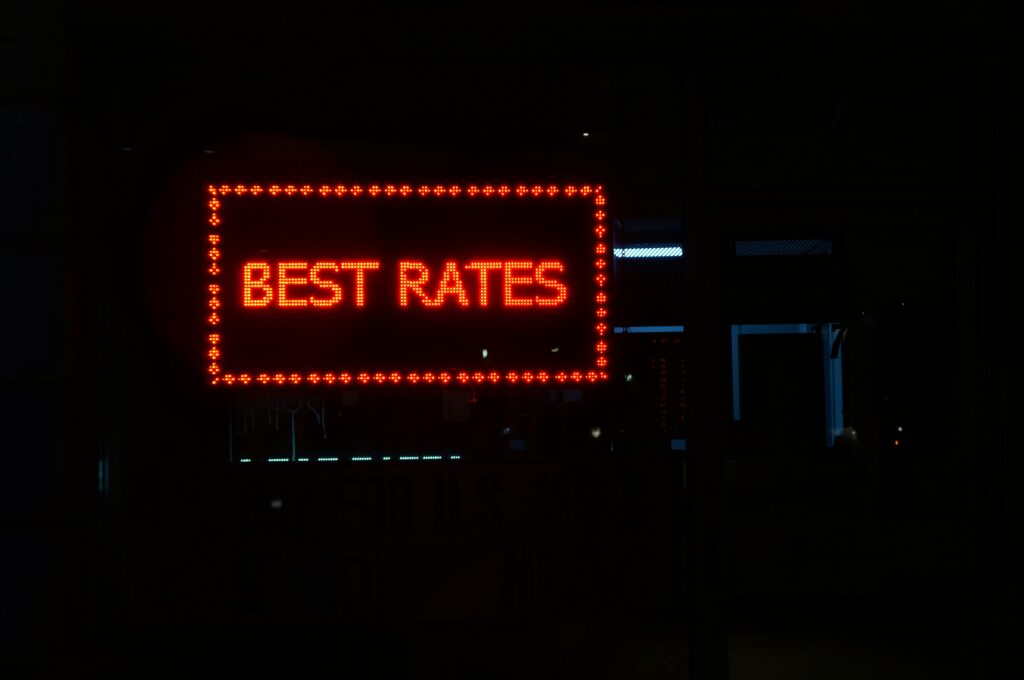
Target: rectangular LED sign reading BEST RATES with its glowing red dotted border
407	285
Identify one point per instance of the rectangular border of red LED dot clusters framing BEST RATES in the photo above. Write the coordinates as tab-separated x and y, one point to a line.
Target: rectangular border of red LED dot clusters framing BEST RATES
595	193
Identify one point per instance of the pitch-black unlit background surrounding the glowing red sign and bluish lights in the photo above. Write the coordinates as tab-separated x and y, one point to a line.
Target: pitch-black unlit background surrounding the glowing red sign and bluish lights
133	548
